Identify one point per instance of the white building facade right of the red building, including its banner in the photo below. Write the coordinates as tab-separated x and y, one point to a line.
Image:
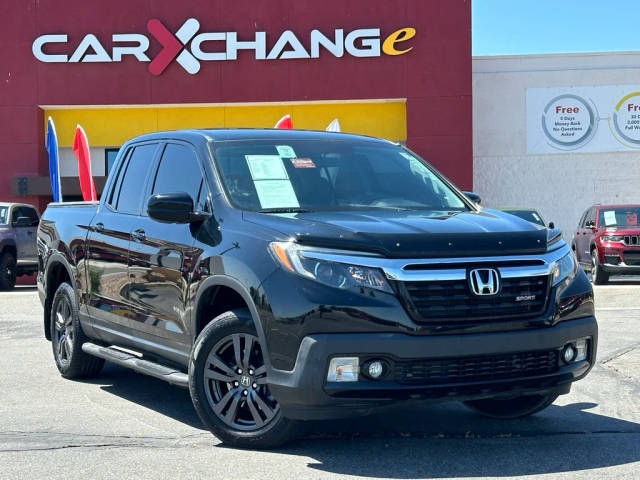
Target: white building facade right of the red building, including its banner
557	132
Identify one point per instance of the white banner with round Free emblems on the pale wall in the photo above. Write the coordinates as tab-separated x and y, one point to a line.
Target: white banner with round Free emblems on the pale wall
586	119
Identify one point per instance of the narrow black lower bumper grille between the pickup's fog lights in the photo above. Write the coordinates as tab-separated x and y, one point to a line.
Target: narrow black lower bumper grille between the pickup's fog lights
471	369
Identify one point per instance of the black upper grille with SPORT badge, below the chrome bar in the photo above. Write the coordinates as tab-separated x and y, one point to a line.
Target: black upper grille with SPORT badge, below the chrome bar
434	301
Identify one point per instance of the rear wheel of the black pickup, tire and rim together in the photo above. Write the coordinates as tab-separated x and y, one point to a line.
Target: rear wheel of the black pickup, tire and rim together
67	337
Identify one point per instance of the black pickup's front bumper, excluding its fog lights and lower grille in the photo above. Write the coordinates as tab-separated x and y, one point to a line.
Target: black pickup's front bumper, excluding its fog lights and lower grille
303	392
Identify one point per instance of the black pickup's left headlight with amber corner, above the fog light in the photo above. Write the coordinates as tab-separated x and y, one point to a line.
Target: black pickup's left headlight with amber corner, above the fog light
339	275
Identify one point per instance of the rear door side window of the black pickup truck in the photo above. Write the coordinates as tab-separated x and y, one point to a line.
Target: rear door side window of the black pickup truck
132	185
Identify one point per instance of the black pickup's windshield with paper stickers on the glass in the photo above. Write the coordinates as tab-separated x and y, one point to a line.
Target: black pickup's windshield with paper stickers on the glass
306	175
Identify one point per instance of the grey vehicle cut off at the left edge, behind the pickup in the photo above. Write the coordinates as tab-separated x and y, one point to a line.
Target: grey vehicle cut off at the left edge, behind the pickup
18	253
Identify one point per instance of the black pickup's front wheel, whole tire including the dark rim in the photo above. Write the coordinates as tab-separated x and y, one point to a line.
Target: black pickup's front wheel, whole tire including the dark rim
236	407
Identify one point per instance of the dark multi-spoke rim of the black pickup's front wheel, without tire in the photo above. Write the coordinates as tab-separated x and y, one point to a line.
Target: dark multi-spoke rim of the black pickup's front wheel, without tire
236	383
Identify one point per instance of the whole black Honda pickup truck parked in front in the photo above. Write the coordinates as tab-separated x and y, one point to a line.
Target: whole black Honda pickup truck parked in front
296	275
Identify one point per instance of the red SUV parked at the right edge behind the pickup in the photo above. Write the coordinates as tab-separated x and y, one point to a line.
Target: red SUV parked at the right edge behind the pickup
607	241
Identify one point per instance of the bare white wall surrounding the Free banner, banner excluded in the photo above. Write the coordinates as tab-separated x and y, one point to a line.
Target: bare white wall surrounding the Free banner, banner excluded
561	186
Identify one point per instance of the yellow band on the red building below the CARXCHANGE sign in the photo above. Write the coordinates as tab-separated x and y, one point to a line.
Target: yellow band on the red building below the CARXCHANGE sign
112	126
